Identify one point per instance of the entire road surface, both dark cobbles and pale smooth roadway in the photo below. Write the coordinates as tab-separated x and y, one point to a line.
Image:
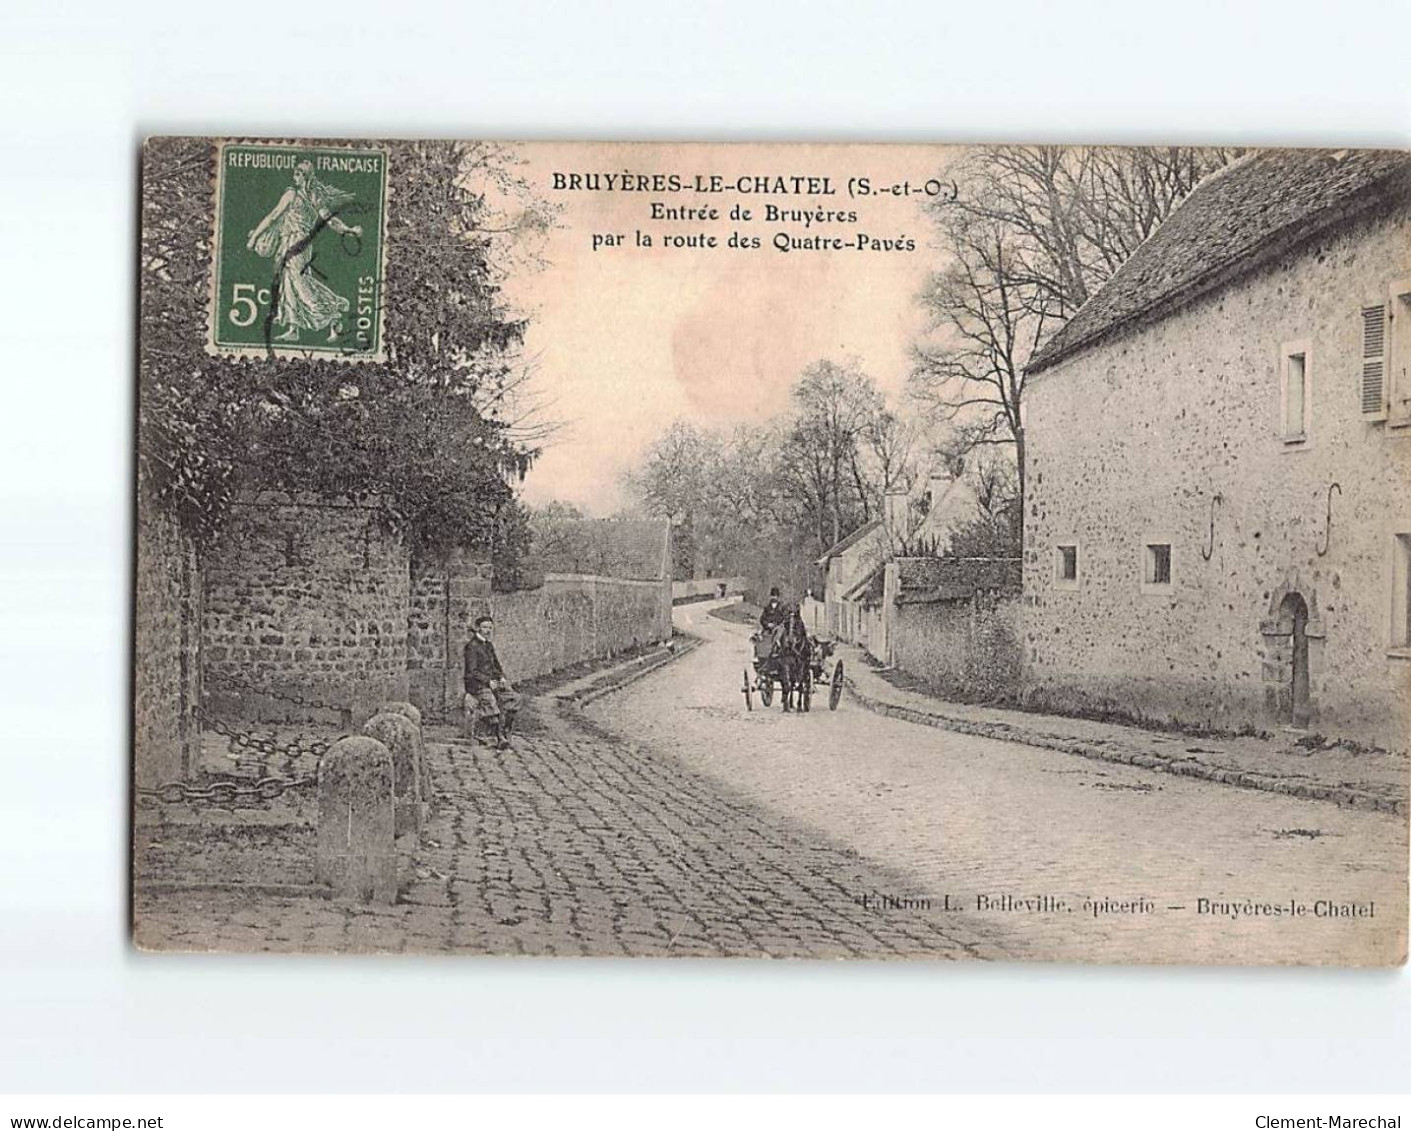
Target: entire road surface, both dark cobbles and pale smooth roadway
715	831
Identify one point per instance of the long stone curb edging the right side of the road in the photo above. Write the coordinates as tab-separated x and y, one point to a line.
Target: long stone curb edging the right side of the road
1348	796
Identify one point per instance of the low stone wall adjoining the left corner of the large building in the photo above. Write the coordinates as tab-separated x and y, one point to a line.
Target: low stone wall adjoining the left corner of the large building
966	648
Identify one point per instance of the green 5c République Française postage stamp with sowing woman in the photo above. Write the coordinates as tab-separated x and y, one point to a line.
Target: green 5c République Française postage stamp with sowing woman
300	252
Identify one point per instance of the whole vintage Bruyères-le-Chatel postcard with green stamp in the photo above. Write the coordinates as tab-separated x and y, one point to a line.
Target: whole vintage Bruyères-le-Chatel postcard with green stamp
774	551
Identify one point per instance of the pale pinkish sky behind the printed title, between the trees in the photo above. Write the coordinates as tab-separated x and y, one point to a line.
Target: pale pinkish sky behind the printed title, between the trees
629	339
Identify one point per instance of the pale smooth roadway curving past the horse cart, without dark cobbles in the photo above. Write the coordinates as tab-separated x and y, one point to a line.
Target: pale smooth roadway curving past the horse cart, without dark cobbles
969	817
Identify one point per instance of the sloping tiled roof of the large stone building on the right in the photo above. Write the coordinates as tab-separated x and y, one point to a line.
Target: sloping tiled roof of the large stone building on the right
1261	204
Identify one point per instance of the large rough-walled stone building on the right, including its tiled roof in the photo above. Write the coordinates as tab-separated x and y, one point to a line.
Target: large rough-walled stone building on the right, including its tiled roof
1218	463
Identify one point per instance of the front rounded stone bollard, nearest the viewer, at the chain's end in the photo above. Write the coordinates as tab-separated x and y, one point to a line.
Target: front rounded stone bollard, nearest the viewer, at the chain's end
358	850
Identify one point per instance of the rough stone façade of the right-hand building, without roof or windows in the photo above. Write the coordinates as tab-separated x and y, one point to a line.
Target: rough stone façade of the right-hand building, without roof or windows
1132	441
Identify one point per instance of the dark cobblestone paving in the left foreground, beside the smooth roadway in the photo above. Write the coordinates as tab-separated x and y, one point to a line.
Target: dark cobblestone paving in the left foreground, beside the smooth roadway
571	844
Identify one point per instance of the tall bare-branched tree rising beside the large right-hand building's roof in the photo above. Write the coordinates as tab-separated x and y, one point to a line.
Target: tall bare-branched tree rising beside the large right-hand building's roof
1031	235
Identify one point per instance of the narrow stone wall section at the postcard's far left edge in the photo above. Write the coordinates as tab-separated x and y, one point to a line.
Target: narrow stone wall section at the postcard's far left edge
167	652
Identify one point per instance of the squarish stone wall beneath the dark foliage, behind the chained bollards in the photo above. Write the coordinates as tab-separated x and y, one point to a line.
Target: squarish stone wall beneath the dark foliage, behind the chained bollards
305	600
